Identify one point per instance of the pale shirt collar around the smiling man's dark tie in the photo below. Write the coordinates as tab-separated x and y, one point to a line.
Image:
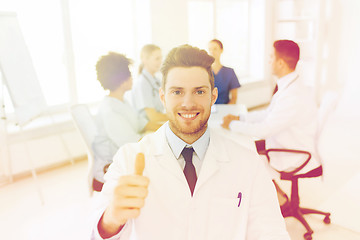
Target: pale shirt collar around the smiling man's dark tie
177	145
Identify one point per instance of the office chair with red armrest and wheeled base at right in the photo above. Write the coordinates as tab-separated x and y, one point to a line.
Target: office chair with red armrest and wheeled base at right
293	208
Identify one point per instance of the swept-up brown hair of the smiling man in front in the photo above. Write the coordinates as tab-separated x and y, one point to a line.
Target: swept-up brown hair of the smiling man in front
187	56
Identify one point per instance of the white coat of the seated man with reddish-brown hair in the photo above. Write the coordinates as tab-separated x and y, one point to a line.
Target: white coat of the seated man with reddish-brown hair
288	122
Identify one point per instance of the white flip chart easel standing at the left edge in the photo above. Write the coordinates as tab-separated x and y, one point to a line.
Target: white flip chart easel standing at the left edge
19	76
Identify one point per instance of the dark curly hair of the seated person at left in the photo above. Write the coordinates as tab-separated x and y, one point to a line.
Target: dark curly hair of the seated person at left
112	70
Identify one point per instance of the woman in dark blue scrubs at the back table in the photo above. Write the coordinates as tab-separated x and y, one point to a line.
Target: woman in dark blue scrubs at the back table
225	78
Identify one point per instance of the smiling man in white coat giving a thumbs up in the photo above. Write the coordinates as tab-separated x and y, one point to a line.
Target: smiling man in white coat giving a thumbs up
222	192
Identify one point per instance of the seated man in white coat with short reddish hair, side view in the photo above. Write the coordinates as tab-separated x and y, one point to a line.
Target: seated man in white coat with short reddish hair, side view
289	121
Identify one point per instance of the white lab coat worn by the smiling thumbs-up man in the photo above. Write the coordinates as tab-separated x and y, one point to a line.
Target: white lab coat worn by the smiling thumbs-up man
212	213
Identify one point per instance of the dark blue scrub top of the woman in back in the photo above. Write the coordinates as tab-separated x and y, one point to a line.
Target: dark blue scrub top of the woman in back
225	80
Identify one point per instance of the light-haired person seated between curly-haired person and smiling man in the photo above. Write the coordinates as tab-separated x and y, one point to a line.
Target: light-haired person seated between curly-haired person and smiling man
145	94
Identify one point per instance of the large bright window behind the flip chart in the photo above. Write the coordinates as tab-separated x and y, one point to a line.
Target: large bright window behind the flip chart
94	30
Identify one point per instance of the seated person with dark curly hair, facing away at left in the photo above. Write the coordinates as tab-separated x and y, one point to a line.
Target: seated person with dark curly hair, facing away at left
118	123
